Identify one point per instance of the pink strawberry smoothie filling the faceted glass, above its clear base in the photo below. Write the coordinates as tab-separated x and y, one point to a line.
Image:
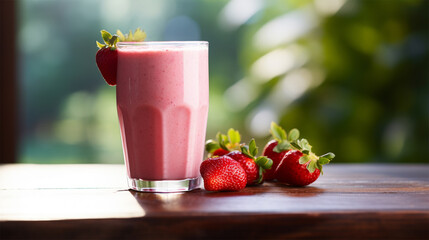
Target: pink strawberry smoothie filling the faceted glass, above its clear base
162	101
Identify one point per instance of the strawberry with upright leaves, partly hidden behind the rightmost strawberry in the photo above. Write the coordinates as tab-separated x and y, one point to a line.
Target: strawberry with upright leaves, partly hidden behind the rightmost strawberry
277	148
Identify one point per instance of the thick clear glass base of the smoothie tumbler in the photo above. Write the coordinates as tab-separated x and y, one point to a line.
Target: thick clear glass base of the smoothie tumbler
164	185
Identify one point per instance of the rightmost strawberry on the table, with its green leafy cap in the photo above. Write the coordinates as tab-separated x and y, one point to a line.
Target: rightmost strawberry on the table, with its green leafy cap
300	169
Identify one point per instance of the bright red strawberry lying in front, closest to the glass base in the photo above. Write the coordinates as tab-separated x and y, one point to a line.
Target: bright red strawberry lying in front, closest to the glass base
223	174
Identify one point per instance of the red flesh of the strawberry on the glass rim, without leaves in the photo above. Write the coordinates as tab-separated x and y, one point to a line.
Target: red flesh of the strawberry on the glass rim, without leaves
107	61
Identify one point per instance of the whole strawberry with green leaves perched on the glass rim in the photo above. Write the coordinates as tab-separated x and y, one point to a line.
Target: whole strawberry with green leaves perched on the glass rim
107	55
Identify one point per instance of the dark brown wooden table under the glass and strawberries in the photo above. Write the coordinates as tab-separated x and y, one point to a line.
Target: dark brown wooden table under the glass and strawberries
92	201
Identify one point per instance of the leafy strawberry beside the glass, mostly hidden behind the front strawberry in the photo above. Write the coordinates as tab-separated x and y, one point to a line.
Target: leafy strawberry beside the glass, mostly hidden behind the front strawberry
224	143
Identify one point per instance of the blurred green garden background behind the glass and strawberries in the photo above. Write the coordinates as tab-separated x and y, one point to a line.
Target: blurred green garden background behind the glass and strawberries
352	75
